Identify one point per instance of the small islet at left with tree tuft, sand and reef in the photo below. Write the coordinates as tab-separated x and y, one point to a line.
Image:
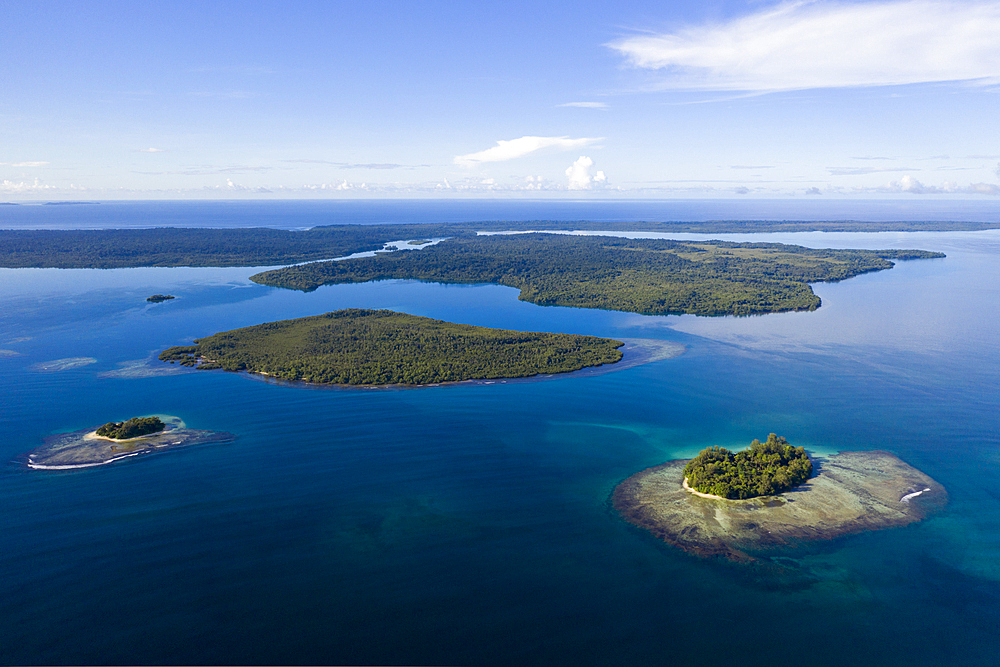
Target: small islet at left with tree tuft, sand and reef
90	447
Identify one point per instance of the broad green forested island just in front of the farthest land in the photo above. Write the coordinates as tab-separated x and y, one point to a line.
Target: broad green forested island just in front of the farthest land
656	277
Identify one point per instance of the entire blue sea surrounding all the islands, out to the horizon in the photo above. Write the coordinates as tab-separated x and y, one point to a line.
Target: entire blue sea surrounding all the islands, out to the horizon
470	524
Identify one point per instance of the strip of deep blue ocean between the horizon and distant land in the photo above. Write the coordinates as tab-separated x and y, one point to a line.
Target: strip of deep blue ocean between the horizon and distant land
302	214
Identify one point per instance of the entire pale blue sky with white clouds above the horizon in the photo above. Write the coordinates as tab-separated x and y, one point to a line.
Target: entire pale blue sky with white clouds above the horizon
559	99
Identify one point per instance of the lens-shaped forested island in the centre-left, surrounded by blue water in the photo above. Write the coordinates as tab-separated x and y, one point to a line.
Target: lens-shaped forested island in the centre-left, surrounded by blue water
382	347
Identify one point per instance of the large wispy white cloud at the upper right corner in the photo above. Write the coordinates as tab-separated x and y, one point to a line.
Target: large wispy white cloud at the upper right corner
799	45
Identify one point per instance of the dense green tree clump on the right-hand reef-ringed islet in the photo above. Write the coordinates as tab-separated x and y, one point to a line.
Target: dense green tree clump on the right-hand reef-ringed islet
766	469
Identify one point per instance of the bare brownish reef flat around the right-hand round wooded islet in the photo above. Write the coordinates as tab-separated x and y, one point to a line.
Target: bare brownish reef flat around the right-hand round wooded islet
853	492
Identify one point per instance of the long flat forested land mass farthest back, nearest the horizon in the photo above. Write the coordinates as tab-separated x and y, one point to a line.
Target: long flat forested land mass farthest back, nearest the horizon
259	246
